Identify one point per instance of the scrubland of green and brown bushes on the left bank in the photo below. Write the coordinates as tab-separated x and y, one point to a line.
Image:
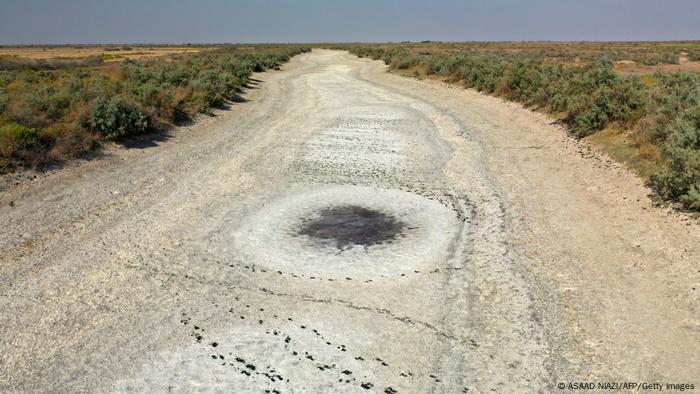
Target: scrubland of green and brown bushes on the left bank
54	109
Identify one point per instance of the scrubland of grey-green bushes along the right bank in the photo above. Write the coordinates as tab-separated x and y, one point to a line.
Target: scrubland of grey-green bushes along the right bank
578	82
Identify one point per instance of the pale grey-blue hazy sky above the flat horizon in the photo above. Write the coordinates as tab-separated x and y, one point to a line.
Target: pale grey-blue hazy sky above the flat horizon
217	21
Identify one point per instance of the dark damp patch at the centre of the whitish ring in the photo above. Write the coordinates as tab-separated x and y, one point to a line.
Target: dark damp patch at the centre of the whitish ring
352	225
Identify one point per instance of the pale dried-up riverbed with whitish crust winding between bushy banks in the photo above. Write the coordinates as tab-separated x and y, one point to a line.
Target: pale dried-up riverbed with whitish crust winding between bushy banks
345	230
